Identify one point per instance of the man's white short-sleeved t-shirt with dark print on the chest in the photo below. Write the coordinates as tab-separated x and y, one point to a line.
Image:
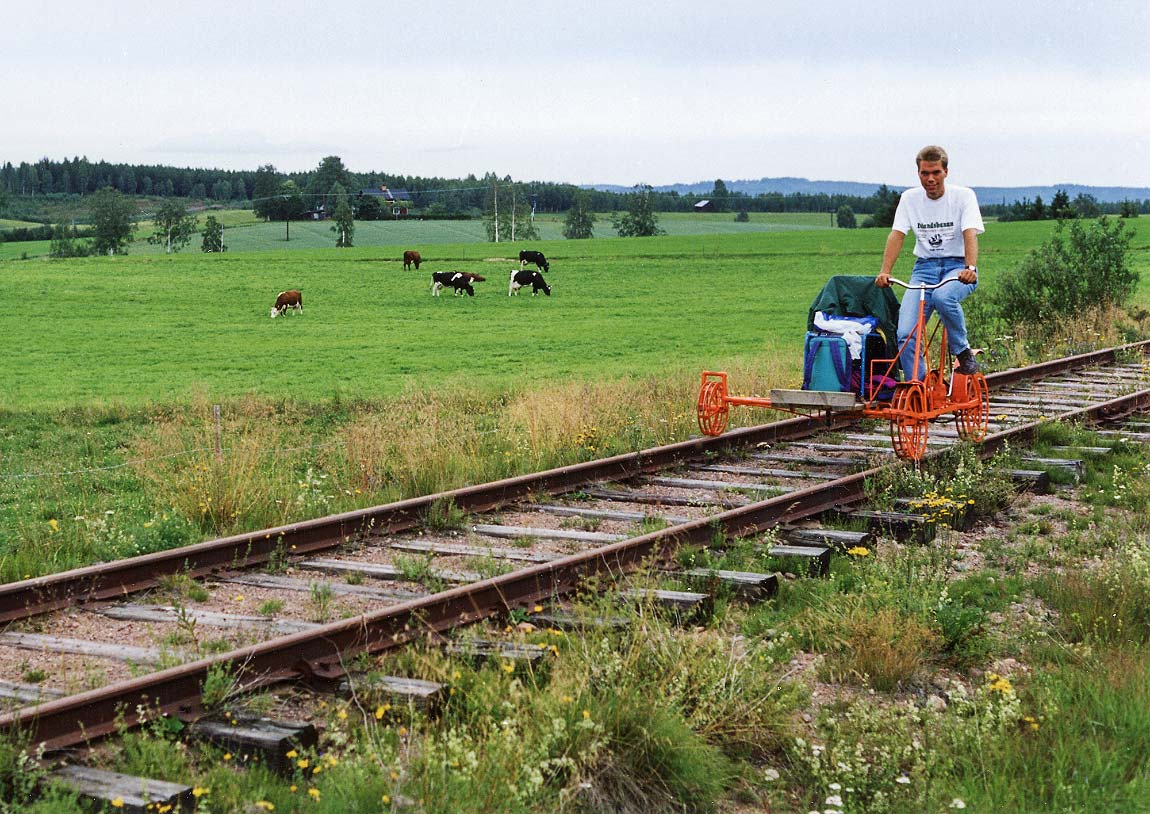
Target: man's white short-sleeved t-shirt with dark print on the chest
939	225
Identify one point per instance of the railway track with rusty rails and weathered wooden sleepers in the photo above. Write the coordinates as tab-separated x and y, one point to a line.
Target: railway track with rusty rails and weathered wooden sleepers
287	609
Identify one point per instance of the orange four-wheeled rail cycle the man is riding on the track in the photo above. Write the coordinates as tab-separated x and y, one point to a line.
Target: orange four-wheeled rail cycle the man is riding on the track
914	405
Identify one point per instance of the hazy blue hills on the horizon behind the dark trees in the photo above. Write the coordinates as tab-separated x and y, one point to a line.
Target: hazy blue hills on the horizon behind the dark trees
987	195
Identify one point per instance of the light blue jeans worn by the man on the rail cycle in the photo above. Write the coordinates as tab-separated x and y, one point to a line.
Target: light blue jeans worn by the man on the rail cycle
947	302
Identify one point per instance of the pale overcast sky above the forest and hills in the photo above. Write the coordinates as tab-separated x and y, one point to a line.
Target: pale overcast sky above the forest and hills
588	93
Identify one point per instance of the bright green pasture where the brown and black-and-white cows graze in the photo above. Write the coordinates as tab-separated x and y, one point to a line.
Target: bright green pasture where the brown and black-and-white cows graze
142	329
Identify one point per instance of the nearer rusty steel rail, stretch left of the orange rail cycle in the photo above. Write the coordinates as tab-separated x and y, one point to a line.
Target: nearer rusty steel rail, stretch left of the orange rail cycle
320	655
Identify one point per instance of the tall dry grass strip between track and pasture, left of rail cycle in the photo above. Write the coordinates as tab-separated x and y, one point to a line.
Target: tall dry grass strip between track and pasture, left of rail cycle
124	482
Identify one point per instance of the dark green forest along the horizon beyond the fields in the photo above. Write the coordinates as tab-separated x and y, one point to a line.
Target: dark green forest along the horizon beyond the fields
30	187
